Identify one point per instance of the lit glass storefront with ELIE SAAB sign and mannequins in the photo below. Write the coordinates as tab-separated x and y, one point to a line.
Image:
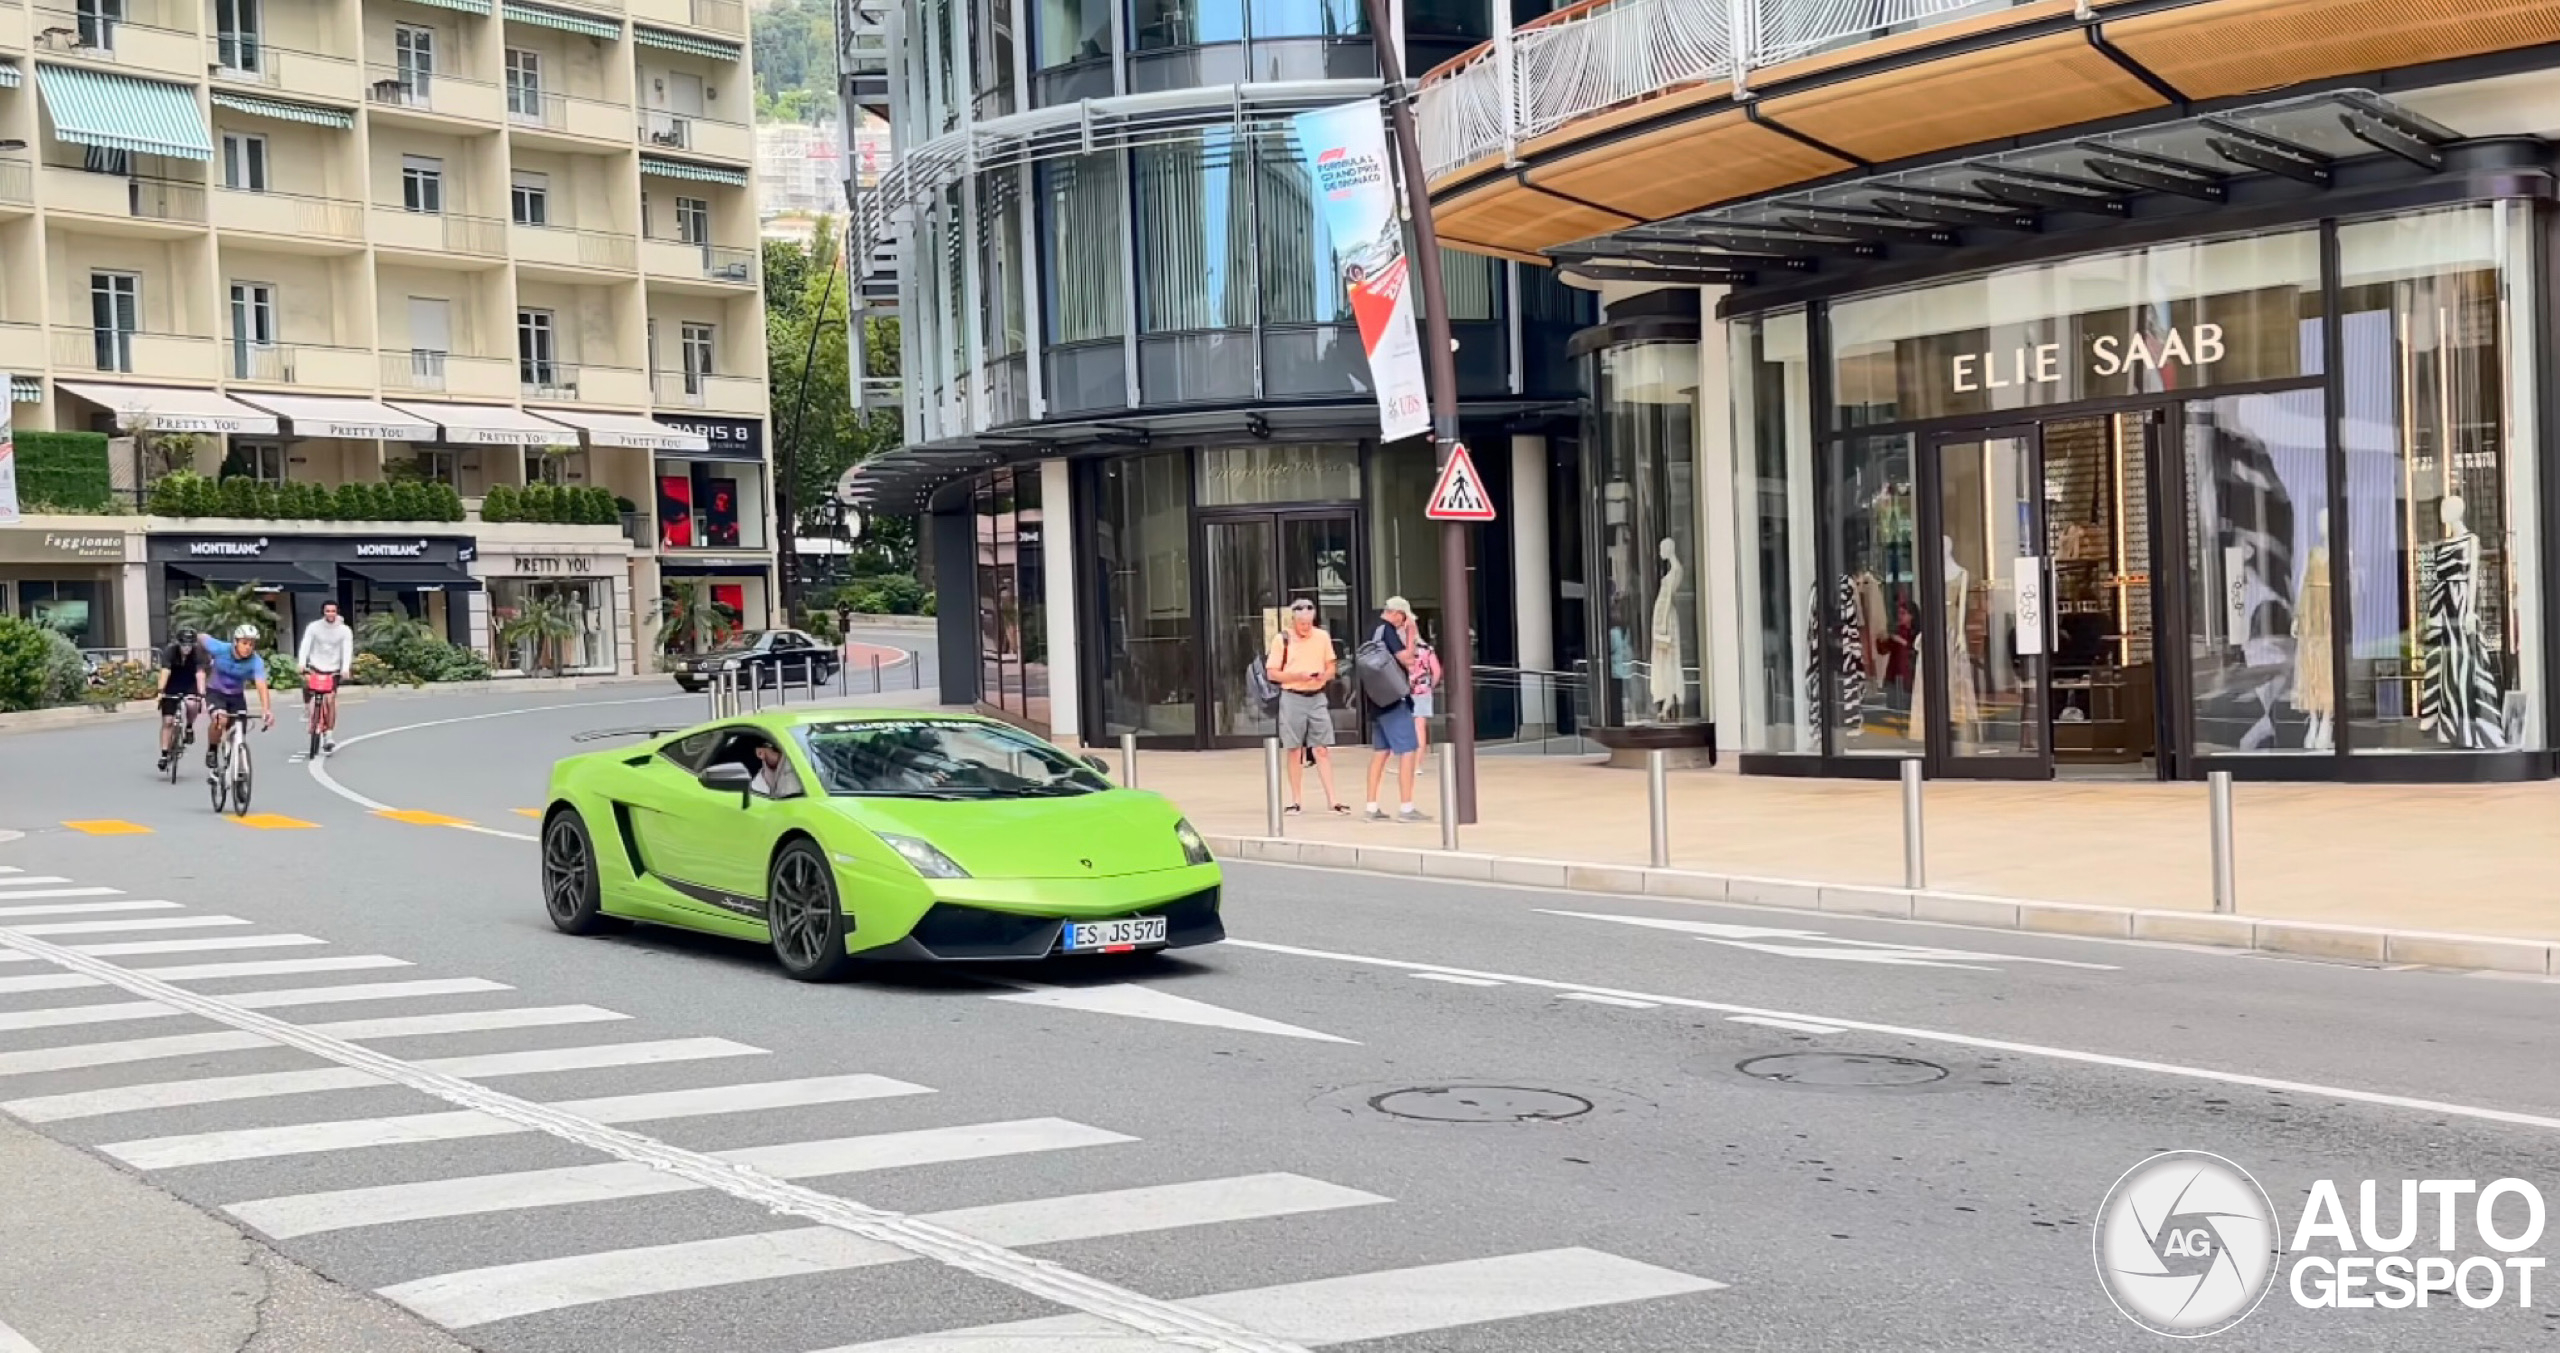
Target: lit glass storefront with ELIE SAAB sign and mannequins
2103	513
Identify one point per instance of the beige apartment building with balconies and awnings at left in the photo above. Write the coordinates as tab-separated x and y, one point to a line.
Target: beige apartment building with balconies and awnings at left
467	242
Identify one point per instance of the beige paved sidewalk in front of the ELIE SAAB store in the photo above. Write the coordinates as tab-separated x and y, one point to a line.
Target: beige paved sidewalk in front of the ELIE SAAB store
2423	858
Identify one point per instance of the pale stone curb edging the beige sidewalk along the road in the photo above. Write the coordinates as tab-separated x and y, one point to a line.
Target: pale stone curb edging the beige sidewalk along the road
2316	940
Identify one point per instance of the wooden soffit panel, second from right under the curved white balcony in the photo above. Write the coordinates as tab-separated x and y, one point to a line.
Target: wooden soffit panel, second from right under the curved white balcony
1980	96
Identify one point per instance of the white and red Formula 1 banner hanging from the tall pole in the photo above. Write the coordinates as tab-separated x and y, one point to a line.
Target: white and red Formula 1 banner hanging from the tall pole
1348	157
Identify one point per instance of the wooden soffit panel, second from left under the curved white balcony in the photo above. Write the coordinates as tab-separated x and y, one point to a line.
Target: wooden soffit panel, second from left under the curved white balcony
1688	168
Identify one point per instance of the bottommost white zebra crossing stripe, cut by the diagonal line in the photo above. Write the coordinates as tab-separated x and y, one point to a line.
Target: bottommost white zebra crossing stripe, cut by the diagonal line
1356	1308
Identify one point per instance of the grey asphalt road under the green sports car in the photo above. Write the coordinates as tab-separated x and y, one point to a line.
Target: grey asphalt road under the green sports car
1391	1114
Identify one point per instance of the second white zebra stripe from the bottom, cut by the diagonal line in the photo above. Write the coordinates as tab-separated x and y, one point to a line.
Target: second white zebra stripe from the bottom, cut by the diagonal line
511	1290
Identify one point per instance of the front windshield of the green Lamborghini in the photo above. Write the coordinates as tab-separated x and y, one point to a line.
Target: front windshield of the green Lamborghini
941	758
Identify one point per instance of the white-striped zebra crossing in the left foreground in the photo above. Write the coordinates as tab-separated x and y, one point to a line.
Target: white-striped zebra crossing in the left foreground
145	1068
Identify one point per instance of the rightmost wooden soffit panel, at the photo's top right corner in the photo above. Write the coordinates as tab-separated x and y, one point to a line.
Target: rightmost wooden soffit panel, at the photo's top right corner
2231	47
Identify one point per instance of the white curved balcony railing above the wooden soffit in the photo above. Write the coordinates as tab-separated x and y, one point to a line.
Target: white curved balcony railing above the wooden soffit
1604	55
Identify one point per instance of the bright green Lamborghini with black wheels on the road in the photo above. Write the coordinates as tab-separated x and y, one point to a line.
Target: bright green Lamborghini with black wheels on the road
872	835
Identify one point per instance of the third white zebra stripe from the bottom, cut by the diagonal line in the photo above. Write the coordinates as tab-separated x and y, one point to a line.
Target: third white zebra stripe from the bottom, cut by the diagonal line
600	1183
